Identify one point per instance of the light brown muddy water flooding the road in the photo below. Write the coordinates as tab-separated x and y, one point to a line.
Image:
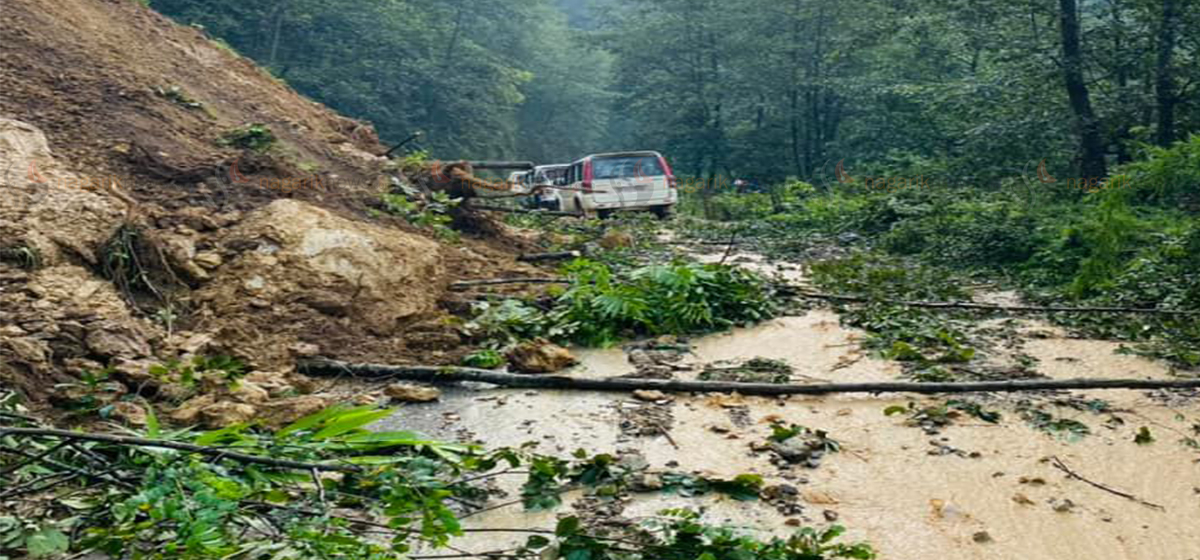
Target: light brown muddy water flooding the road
976	491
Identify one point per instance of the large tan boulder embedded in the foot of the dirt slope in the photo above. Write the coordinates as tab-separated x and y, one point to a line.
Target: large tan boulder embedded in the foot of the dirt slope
291	270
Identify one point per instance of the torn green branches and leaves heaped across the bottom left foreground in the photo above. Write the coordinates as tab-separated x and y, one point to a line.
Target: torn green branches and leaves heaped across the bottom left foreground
325	486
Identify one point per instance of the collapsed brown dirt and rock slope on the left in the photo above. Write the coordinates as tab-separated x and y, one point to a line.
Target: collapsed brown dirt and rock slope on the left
131	234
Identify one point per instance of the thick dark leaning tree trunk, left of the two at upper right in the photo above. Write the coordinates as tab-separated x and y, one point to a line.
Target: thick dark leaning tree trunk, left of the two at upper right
1091	144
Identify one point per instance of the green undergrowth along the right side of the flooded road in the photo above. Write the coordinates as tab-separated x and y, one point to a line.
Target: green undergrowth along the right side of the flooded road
1131	248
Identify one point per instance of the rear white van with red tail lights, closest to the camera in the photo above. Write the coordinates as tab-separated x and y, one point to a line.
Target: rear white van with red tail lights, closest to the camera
607	183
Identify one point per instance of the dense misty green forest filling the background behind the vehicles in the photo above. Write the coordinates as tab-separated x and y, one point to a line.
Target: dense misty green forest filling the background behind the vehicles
969	93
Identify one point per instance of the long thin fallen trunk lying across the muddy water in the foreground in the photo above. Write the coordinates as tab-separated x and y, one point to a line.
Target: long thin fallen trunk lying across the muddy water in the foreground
455	375
